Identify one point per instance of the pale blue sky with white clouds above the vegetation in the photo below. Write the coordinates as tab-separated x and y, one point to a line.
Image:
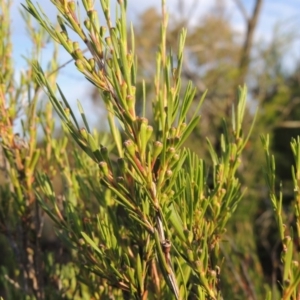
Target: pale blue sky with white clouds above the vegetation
283	13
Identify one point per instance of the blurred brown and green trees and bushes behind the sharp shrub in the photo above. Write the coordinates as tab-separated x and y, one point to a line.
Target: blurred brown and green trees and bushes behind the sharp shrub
218	57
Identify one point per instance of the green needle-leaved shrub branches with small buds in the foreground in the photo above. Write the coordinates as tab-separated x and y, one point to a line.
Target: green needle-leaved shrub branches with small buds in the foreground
137	215
